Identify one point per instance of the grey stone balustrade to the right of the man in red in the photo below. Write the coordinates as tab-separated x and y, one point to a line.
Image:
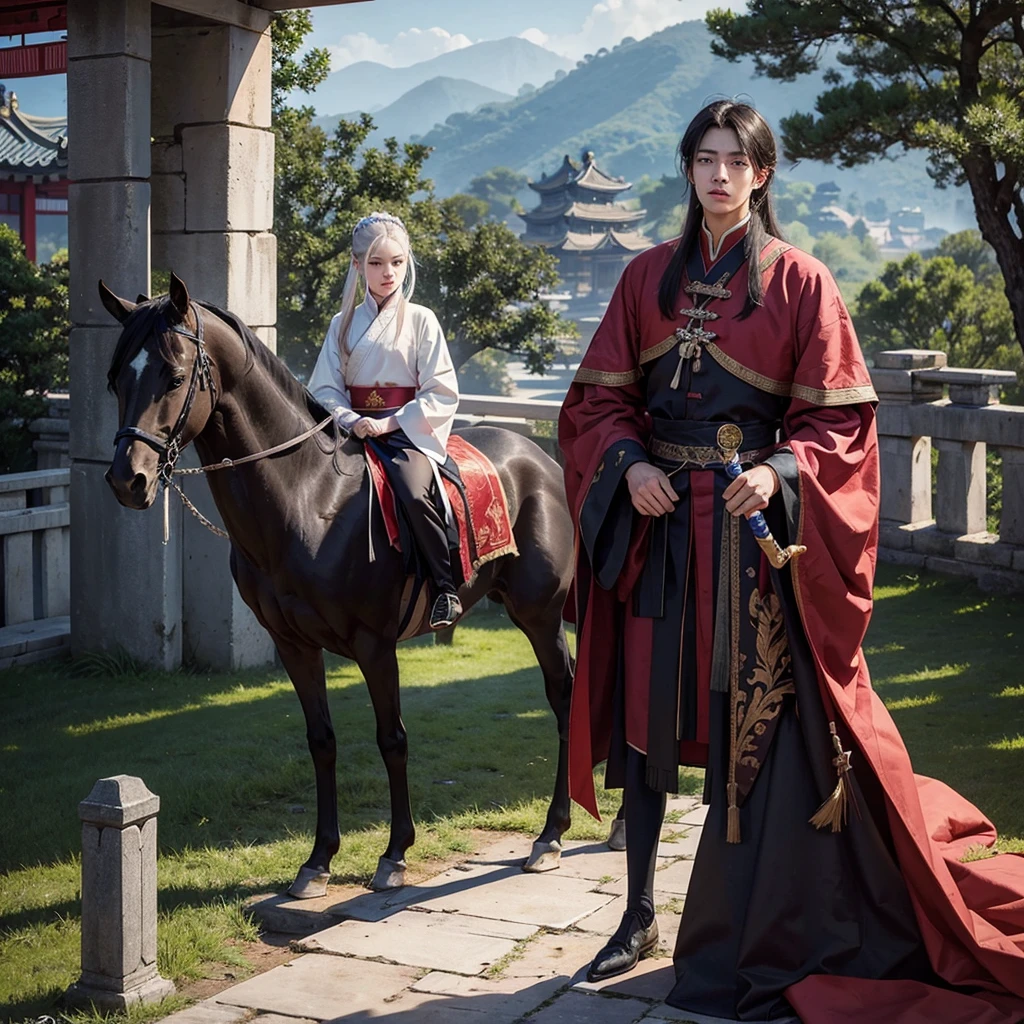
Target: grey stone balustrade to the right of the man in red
940	521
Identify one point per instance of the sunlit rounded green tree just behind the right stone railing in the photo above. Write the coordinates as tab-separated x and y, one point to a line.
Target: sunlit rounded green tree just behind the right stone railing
953	303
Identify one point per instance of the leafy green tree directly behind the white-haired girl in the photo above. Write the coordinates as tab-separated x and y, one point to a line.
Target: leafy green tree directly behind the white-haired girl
480	279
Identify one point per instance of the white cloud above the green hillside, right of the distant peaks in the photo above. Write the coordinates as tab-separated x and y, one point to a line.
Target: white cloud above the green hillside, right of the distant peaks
612	21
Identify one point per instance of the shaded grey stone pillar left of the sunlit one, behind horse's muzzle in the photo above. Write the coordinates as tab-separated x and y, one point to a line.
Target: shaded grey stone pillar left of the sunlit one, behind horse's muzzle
126	587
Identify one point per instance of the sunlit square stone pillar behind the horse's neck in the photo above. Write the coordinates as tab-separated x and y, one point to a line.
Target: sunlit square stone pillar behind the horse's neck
212	221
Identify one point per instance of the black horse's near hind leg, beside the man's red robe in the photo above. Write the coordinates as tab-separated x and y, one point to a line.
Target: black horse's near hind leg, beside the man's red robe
547	636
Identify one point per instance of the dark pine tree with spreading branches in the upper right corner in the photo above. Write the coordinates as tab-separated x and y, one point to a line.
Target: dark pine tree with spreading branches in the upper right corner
945	76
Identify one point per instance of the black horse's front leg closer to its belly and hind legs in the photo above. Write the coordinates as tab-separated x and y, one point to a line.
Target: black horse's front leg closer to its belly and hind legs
377	660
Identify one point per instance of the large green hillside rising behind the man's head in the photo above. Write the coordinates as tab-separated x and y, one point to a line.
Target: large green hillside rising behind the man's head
630	107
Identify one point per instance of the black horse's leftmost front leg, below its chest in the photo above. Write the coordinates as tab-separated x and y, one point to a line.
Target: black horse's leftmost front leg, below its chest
306	668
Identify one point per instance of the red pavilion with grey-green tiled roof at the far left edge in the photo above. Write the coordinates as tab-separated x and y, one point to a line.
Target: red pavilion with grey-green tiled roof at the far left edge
33	178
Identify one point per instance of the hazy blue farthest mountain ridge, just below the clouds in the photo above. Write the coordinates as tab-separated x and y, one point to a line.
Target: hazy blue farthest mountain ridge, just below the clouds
503	65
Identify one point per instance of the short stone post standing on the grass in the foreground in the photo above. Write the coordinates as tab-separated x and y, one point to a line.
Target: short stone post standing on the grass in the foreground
119	898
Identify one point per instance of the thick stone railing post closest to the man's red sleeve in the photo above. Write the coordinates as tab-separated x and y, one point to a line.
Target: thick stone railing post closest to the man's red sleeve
907	459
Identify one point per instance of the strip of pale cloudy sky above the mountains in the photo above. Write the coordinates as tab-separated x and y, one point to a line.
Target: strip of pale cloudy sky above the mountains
399	33
